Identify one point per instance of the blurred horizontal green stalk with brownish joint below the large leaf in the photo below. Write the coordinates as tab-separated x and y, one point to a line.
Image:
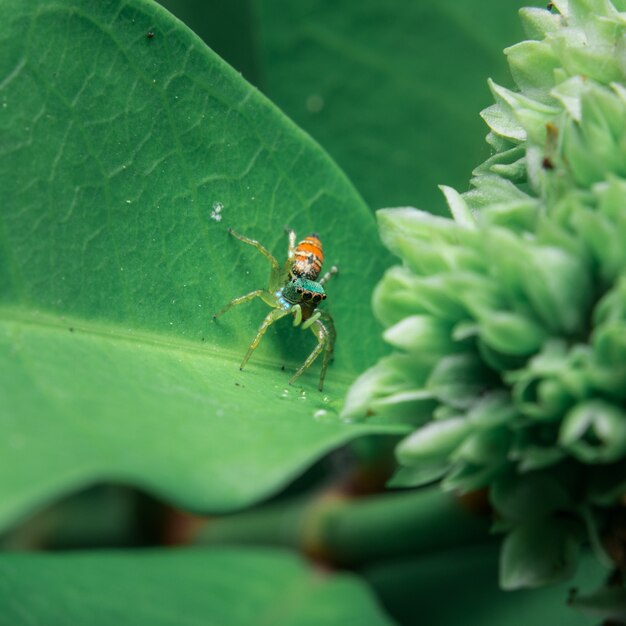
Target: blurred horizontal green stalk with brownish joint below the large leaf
350	532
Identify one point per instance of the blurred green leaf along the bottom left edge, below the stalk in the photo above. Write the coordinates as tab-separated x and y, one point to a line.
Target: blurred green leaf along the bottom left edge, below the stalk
217	587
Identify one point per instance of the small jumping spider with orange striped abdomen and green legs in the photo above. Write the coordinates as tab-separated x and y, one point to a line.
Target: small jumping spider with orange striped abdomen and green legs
294	289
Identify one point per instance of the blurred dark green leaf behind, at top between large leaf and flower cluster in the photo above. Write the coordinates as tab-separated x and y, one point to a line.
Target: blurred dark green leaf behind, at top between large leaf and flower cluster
391	89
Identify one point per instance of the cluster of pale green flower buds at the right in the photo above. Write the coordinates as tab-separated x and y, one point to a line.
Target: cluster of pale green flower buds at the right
509	317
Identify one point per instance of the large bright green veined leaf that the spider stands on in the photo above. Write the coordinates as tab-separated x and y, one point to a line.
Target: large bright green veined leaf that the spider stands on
115	149
